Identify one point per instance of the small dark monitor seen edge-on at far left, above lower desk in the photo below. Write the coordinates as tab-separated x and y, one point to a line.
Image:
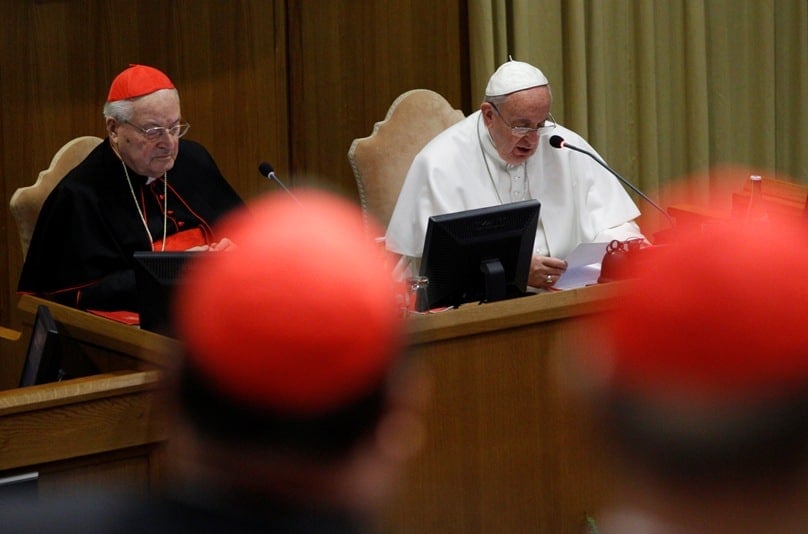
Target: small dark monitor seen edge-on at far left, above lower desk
43	361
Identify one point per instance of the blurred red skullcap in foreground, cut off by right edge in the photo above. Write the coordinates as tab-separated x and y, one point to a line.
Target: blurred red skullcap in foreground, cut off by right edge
720	315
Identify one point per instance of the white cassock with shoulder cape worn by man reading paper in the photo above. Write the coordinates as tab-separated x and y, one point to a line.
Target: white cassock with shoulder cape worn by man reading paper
581	202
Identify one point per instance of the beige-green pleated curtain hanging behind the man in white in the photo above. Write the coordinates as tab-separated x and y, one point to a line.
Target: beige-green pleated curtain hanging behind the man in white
665	89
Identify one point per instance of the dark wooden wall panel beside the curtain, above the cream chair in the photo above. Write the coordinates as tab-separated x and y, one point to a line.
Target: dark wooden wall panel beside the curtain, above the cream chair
351	59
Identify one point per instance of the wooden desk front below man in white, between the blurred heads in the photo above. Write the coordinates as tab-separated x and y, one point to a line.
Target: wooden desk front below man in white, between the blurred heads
509	449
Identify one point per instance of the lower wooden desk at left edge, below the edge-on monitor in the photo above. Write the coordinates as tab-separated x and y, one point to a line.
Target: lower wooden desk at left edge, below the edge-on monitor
86	431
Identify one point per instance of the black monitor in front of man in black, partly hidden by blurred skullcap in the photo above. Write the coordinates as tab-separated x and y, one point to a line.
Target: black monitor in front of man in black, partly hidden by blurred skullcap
156	275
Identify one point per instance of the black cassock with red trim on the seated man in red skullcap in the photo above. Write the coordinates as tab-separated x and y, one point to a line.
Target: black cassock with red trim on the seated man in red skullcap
89	226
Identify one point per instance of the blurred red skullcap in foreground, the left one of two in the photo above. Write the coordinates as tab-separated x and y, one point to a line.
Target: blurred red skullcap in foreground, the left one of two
301	317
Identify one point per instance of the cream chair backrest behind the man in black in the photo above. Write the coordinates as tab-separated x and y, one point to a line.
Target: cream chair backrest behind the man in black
27	201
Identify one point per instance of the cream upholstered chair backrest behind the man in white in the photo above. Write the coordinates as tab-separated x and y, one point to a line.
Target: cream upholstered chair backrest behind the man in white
380	161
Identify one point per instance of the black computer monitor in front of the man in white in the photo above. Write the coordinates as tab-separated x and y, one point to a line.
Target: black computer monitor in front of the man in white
479	255
